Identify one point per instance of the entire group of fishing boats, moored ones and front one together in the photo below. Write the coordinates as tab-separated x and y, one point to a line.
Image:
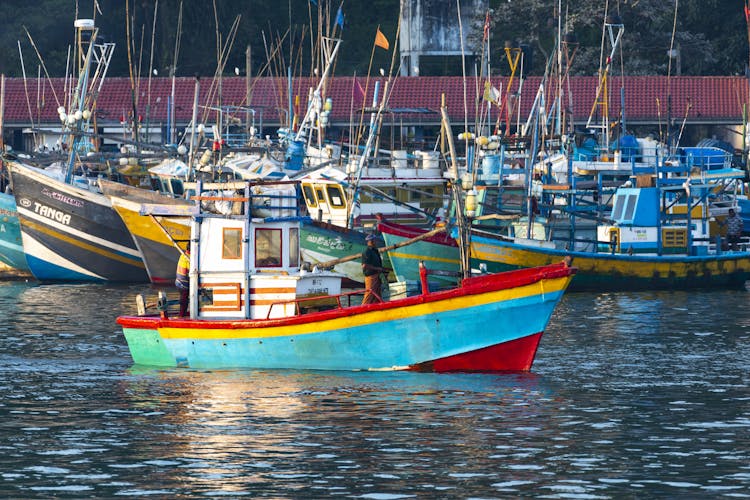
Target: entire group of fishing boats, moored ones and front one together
480	240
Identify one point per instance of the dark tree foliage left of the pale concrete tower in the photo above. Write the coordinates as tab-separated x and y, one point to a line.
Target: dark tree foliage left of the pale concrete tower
263	26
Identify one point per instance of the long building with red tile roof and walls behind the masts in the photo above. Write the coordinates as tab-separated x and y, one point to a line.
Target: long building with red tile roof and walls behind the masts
713	102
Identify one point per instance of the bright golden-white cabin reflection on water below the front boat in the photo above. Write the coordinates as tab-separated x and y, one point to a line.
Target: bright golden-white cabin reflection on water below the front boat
218	425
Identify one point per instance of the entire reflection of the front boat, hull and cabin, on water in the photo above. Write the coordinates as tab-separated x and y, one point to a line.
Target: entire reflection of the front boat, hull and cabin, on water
284	424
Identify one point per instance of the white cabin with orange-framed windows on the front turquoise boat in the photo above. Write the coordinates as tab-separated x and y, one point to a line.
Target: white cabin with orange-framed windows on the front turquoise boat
250	267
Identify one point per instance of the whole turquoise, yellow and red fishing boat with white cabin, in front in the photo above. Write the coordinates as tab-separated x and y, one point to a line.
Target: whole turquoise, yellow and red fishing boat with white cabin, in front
254	305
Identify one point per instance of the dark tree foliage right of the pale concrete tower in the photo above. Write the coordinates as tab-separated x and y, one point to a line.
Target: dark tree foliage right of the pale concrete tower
711	35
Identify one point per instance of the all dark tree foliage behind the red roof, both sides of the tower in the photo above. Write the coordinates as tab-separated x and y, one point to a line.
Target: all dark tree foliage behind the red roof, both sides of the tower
711	35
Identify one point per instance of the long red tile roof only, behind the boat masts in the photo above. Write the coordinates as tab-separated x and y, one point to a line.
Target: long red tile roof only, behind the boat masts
711	99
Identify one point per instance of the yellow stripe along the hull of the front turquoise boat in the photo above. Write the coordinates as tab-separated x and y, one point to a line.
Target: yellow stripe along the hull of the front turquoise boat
554	285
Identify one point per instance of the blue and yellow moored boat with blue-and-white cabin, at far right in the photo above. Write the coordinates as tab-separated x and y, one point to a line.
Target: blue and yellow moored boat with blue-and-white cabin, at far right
657	237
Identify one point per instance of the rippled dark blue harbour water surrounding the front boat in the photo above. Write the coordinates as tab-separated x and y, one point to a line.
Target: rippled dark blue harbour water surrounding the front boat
632	396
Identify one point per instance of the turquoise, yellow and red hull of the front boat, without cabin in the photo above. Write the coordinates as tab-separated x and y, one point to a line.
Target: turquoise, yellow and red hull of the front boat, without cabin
491	322
